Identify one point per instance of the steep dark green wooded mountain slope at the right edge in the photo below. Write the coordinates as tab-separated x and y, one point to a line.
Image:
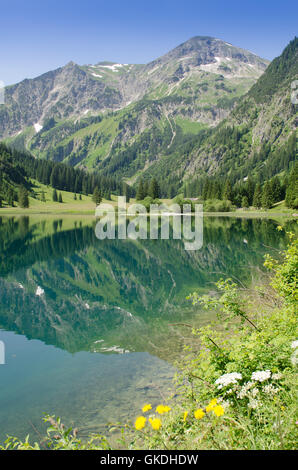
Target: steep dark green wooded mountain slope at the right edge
259	136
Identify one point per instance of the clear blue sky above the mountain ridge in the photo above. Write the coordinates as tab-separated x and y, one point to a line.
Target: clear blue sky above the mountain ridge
41	35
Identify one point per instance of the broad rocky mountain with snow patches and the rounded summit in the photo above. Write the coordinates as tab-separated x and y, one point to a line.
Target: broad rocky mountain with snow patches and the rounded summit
121	118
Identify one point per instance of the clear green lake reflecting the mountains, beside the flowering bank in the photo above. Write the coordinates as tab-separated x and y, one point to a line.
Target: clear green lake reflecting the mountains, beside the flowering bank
88	325
